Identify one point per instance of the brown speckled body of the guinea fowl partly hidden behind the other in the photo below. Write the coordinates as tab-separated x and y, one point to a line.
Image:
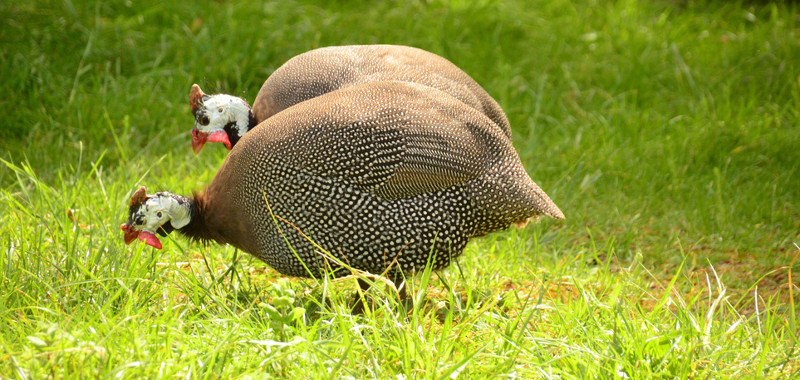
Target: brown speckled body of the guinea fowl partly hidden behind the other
326	69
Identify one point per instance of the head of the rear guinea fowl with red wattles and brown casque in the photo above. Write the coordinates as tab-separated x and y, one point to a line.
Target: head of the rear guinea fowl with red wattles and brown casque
218	118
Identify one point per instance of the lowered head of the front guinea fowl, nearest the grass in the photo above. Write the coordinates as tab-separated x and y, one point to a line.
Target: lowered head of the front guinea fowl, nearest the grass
149	215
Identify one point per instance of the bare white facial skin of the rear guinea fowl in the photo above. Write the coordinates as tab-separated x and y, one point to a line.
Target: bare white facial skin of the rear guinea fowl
219	110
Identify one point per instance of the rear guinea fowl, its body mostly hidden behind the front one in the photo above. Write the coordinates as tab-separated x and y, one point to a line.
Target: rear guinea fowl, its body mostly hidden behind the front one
225	118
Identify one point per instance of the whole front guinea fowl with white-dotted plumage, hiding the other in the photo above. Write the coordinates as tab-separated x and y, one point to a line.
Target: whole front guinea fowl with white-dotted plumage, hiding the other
382	176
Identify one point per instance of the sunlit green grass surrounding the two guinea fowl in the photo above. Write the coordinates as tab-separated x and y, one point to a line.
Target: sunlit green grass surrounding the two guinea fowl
667	131
